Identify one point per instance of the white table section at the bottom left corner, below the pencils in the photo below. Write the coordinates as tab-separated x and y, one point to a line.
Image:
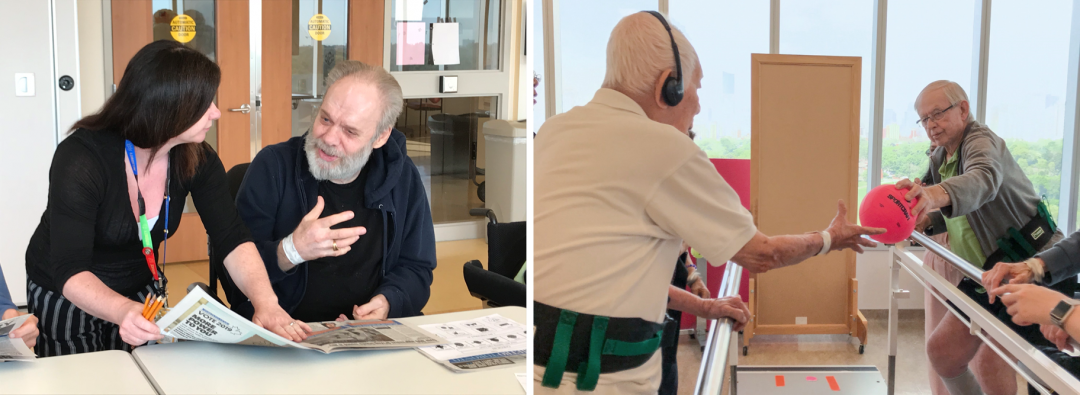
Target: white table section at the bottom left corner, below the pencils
101	373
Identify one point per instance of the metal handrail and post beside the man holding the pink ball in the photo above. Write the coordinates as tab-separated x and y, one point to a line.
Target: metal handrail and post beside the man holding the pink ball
1042	373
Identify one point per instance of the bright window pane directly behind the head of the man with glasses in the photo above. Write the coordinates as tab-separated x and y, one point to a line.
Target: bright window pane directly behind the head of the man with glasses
910	45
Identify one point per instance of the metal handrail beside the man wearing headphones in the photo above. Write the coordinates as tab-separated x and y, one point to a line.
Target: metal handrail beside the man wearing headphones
714	364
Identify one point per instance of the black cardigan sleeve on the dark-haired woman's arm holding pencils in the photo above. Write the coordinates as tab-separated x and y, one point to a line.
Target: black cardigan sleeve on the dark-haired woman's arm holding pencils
76	190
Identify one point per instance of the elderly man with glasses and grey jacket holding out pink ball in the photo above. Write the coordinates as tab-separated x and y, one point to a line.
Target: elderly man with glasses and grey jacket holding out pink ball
980	197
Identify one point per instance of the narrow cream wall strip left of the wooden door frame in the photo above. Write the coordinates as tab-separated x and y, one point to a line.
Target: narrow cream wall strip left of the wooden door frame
91	57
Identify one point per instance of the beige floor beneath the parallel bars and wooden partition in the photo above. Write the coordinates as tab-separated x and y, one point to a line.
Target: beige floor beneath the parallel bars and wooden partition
912	364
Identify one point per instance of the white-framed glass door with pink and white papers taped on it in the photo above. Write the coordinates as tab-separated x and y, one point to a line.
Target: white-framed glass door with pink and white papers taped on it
464	39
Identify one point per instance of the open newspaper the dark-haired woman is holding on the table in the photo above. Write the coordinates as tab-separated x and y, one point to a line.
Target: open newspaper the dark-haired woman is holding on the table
199	318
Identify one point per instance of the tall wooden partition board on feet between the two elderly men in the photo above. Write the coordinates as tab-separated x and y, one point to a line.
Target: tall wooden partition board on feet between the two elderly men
804	159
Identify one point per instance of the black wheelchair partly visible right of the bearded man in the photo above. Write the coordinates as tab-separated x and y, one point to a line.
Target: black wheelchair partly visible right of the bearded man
507	251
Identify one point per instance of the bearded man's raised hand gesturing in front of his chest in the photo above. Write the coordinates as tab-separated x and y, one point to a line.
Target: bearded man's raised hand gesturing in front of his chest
315	239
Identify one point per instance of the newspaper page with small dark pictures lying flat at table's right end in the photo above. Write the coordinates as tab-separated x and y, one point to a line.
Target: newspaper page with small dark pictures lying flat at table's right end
485	343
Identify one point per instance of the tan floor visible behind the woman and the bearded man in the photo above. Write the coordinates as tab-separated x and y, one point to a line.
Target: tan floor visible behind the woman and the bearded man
449	292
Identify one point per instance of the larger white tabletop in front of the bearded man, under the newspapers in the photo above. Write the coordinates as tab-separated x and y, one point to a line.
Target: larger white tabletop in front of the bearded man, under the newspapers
205	369
